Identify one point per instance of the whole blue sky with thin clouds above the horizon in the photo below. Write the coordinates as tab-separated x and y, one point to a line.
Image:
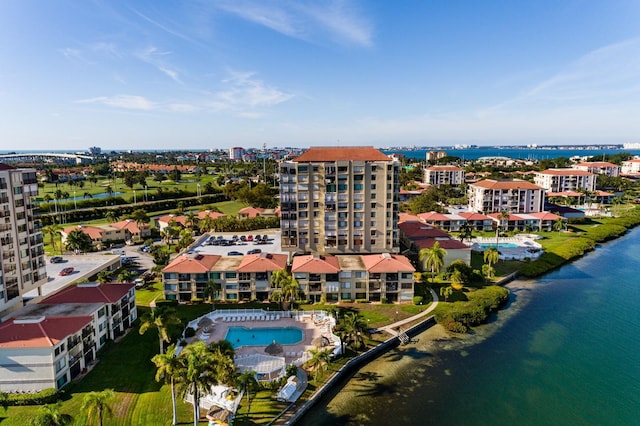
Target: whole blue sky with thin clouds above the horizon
214	74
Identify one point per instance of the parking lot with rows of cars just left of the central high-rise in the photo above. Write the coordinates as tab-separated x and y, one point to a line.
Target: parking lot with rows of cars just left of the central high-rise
272	244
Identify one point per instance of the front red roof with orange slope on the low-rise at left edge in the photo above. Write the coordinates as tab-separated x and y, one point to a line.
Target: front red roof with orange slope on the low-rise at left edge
46	333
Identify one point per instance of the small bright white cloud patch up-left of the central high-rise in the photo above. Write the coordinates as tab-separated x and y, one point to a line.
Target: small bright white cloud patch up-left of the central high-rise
243	91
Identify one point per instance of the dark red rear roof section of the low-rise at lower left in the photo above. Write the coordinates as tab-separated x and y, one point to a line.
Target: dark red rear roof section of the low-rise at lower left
89	293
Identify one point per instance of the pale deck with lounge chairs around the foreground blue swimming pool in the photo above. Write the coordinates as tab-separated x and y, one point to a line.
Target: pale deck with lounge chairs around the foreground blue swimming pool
310	330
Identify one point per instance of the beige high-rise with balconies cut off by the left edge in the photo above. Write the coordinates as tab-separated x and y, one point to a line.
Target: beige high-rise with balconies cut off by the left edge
22	265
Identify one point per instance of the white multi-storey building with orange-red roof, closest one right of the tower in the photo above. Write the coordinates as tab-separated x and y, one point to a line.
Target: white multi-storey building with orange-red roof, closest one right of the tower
514	196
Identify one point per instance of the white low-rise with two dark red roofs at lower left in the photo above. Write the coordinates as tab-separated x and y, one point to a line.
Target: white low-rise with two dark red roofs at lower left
48	344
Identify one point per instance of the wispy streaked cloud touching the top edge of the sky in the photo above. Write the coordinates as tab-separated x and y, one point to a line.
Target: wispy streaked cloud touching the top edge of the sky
338	20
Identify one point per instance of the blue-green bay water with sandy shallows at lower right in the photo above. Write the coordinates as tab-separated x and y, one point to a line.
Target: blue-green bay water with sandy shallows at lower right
565	352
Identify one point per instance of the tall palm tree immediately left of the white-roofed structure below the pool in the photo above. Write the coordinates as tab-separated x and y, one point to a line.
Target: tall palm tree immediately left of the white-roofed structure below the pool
196	374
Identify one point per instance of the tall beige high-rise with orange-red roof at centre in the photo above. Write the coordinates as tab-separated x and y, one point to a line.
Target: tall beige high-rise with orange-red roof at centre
340	200
